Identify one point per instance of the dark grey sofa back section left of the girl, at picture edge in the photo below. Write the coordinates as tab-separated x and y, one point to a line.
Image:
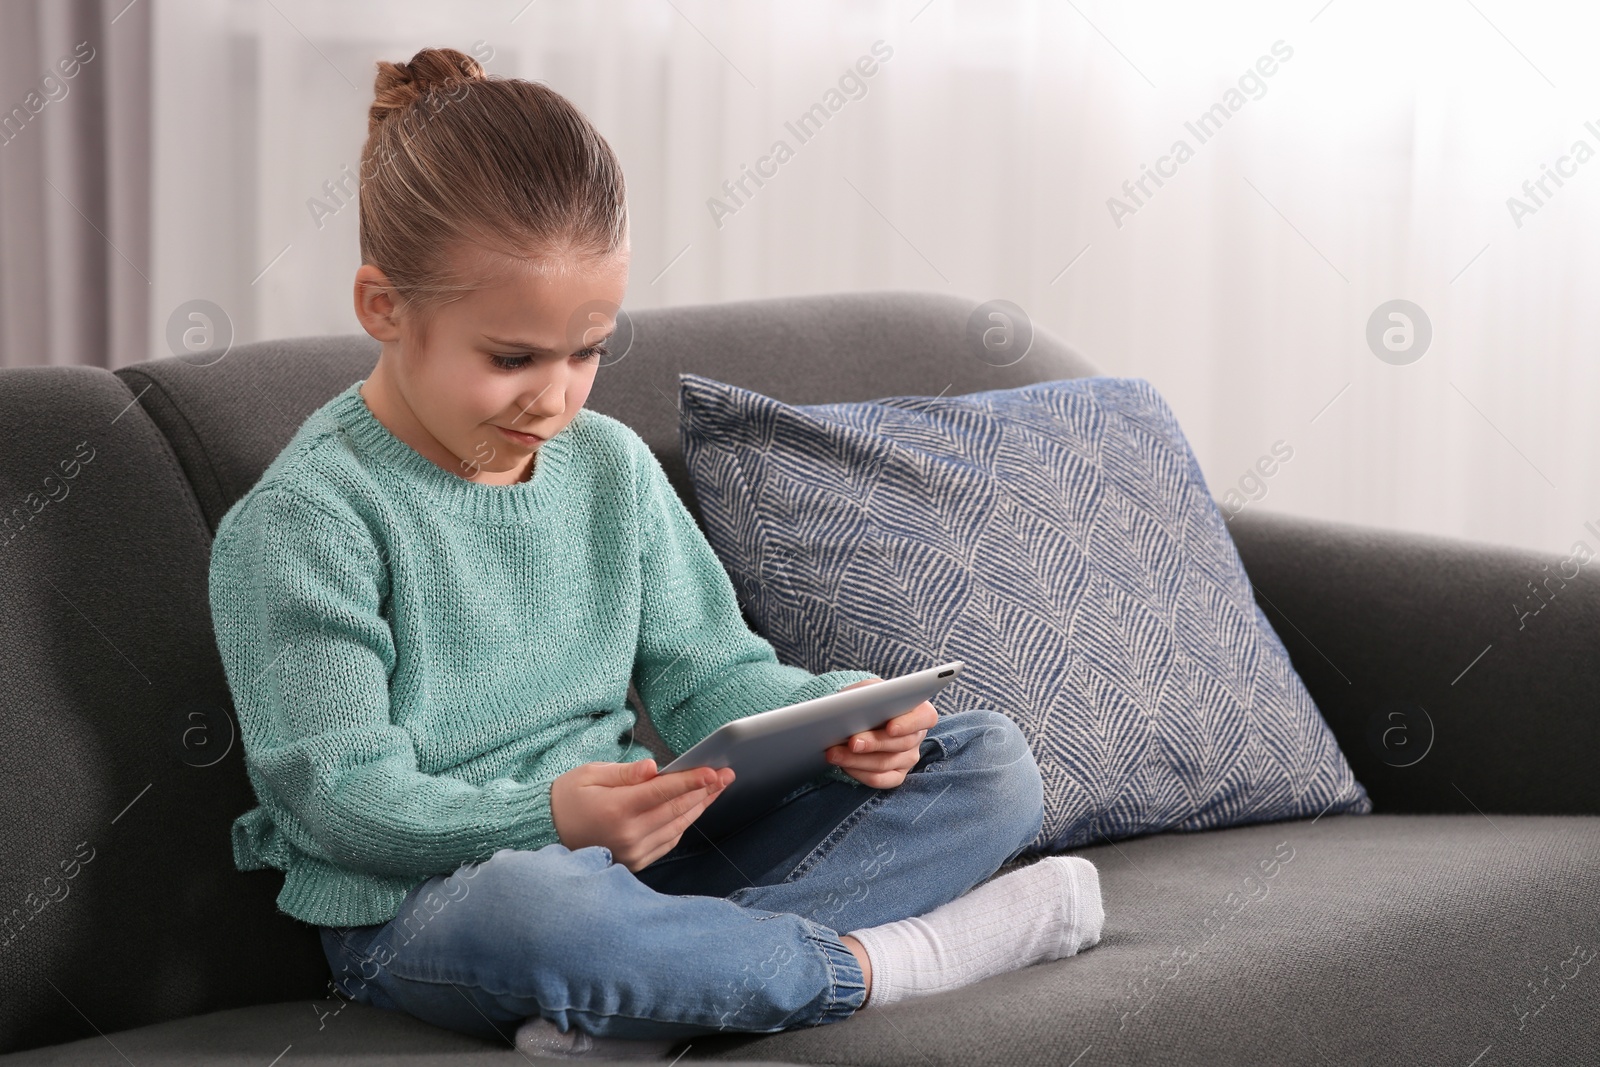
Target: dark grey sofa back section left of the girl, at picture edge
119	769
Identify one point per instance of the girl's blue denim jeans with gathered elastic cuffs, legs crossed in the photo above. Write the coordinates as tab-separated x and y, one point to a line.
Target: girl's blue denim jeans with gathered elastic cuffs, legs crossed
740	933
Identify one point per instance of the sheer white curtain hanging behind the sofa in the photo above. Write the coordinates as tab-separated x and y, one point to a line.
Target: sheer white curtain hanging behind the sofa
1377	166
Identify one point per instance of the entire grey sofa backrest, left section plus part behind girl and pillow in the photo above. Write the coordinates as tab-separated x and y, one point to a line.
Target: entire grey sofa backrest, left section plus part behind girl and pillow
122	772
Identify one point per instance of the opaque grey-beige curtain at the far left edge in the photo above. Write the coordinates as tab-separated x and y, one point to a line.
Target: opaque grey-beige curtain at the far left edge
76	271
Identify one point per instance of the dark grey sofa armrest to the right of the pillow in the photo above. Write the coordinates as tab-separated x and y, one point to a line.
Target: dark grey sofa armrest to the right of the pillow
1449	685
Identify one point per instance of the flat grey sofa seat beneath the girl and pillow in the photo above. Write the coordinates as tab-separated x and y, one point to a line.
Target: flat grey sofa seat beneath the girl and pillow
1398	940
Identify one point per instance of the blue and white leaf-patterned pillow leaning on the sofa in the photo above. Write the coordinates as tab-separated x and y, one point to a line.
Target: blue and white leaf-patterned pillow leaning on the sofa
1062	541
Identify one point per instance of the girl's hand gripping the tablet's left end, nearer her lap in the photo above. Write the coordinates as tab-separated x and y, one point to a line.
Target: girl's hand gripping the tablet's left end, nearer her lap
631	809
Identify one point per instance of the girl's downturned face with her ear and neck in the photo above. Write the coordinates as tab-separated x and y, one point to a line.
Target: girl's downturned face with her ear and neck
500	370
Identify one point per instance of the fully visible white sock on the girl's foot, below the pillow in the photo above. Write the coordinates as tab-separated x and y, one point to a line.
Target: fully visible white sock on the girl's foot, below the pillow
1046	911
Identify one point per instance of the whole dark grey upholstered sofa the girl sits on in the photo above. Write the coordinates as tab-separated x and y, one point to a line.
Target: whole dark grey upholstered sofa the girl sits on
1454	925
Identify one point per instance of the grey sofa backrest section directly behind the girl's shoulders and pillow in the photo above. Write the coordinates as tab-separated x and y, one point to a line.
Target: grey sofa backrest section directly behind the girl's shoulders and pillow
230	417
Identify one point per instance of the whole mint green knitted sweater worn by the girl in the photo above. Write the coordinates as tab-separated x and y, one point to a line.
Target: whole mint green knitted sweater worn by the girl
415	658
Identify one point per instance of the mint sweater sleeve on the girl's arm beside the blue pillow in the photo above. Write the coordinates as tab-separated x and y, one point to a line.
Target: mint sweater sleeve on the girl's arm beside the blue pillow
698	663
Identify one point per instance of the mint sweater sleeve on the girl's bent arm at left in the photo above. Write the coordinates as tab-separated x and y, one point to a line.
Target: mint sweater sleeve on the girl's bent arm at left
297	596
